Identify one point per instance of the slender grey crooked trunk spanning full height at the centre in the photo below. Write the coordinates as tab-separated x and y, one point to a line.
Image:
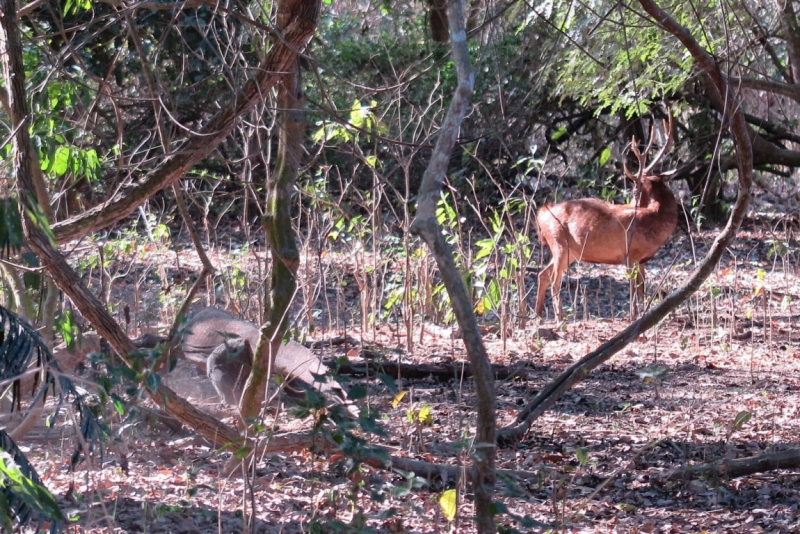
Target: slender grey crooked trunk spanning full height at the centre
426	227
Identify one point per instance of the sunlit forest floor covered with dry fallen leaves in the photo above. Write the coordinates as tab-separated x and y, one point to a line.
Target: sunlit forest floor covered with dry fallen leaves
718	379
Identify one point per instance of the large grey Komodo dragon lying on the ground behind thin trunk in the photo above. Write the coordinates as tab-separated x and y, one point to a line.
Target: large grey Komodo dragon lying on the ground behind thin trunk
221	346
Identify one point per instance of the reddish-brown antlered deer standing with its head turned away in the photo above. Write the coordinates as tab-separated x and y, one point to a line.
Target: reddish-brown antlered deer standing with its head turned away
591	230
